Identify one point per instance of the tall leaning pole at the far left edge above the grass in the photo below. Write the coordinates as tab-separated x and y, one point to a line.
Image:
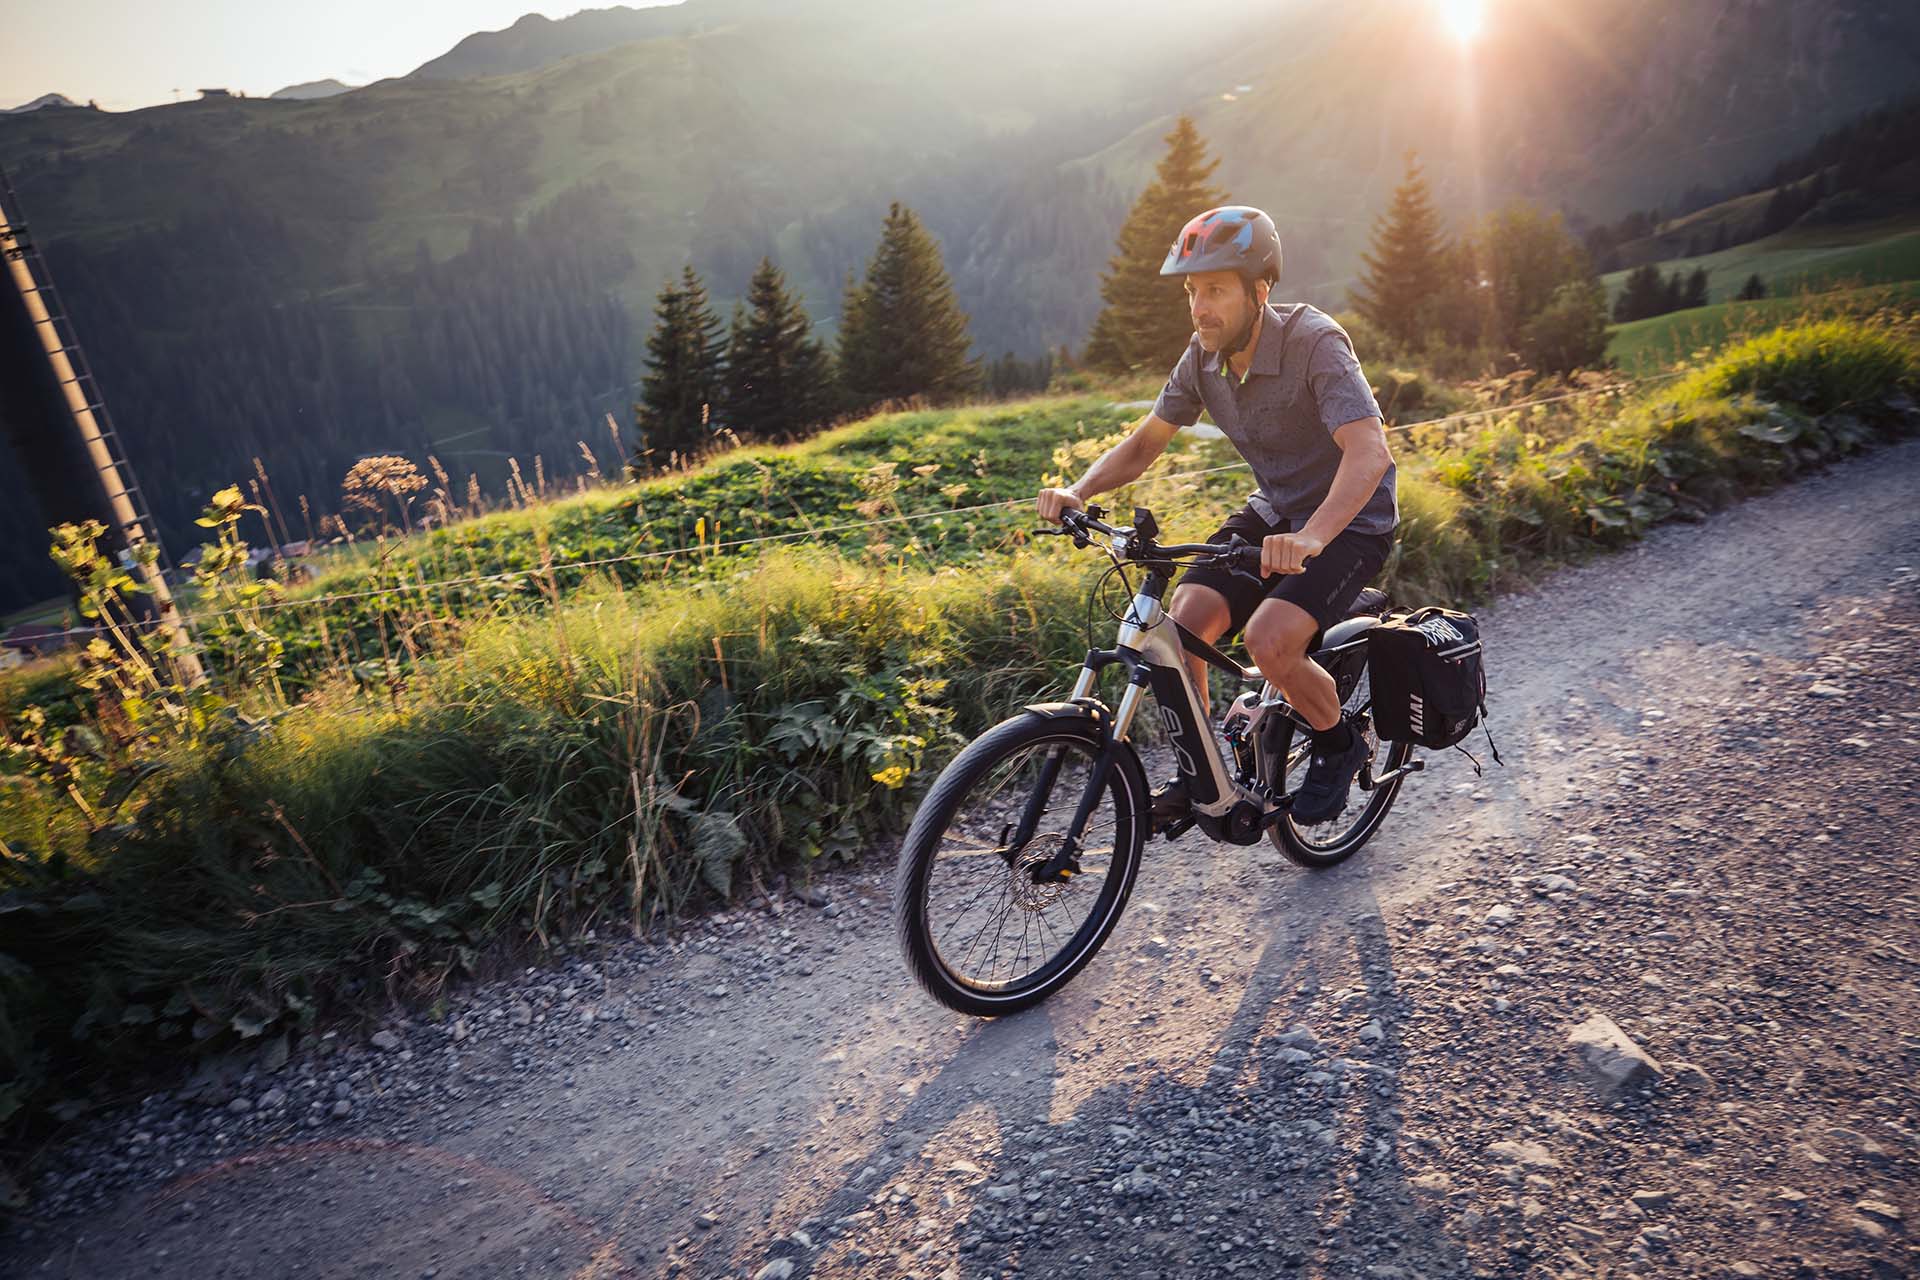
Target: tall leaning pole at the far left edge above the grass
28	277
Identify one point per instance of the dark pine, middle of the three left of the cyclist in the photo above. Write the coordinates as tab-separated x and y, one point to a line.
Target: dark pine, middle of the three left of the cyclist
779	381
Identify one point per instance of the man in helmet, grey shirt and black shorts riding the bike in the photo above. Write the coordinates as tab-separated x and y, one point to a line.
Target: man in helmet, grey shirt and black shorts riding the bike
1285	389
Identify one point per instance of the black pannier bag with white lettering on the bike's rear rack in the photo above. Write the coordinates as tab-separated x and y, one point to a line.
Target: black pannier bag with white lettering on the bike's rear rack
1429	682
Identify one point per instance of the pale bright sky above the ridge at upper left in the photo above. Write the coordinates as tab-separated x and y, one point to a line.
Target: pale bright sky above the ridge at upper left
135	55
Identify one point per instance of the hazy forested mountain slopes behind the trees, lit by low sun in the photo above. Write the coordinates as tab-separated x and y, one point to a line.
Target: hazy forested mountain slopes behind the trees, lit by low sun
464	260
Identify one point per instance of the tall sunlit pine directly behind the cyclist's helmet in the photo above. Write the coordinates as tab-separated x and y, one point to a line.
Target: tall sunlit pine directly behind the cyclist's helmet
1145	320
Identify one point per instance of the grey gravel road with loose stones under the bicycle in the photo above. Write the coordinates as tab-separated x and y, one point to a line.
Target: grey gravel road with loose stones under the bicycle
1708	834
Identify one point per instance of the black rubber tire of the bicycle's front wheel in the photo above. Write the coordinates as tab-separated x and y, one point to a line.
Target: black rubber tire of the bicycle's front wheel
936	815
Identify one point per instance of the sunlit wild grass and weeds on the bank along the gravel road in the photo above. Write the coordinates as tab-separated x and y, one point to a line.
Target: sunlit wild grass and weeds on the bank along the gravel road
533	765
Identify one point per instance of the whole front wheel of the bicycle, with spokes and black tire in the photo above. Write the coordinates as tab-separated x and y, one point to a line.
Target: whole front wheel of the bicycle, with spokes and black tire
982	926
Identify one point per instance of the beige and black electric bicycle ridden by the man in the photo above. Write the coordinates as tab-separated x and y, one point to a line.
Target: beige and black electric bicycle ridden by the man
988	843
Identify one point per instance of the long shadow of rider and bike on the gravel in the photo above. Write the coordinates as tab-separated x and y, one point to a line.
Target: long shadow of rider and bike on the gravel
1280	1183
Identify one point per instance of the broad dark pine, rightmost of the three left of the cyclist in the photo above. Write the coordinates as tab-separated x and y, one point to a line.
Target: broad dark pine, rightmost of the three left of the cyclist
901	331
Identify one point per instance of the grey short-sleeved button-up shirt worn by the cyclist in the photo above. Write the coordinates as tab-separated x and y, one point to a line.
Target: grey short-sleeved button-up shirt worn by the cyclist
1303	383
